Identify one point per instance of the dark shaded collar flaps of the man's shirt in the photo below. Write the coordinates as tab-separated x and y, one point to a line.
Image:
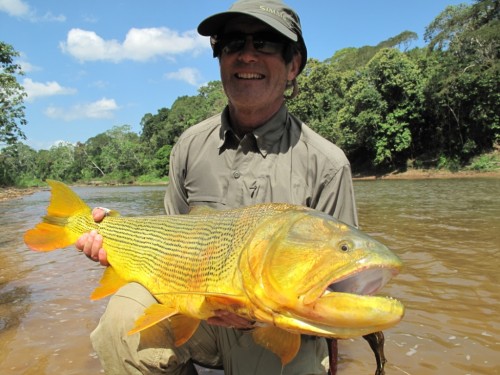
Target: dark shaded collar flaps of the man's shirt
266	136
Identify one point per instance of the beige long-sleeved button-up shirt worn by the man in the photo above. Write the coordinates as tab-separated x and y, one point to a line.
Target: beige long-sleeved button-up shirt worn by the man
281	161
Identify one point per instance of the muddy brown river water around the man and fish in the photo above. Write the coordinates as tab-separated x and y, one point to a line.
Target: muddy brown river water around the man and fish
447	233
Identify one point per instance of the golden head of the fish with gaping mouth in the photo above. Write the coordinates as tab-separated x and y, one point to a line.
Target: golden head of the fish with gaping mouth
314	274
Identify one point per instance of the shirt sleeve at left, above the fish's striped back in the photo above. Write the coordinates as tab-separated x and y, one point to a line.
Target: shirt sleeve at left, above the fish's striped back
175	200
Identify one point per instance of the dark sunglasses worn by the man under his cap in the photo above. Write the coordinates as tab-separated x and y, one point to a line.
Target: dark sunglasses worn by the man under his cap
264	42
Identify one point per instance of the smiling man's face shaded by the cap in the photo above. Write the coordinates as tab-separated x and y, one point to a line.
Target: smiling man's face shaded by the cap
254	78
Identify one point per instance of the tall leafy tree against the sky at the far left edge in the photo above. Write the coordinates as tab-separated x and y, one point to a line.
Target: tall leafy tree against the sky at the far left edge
12	96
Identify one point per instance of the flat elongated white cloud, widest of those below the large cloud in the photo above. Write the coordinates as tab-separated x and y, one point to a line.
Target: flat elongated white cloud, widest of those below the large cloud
101	109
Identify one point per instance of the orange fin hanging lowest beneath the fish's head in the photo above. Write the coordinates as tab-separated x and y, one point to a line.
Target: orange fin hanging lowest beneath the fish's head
282	343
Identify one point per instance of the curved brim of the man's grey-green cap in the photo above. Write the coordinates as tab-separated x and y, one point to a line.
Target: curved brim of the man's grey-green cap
214	24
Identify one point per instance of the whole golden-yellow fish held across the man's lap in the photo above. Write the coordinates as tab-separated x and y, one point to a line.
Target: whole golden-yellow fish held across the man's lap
292	269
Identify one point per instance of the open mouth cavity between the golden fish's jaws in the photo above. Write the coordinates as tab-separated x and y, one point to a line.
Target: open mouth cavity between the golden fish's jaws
362	282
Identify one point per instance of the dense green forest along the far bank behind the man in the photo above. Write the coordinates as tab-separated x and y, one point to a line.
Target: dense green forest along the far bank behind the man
387	106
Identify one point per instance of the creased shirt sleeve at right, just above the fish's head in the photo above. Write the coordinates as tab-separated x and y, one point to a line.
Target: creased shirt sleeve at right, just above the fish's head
336	197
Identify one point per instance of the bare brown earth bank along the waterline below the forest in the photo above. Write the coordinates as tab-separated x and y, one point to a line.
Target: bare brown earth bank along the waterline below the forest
8	193
